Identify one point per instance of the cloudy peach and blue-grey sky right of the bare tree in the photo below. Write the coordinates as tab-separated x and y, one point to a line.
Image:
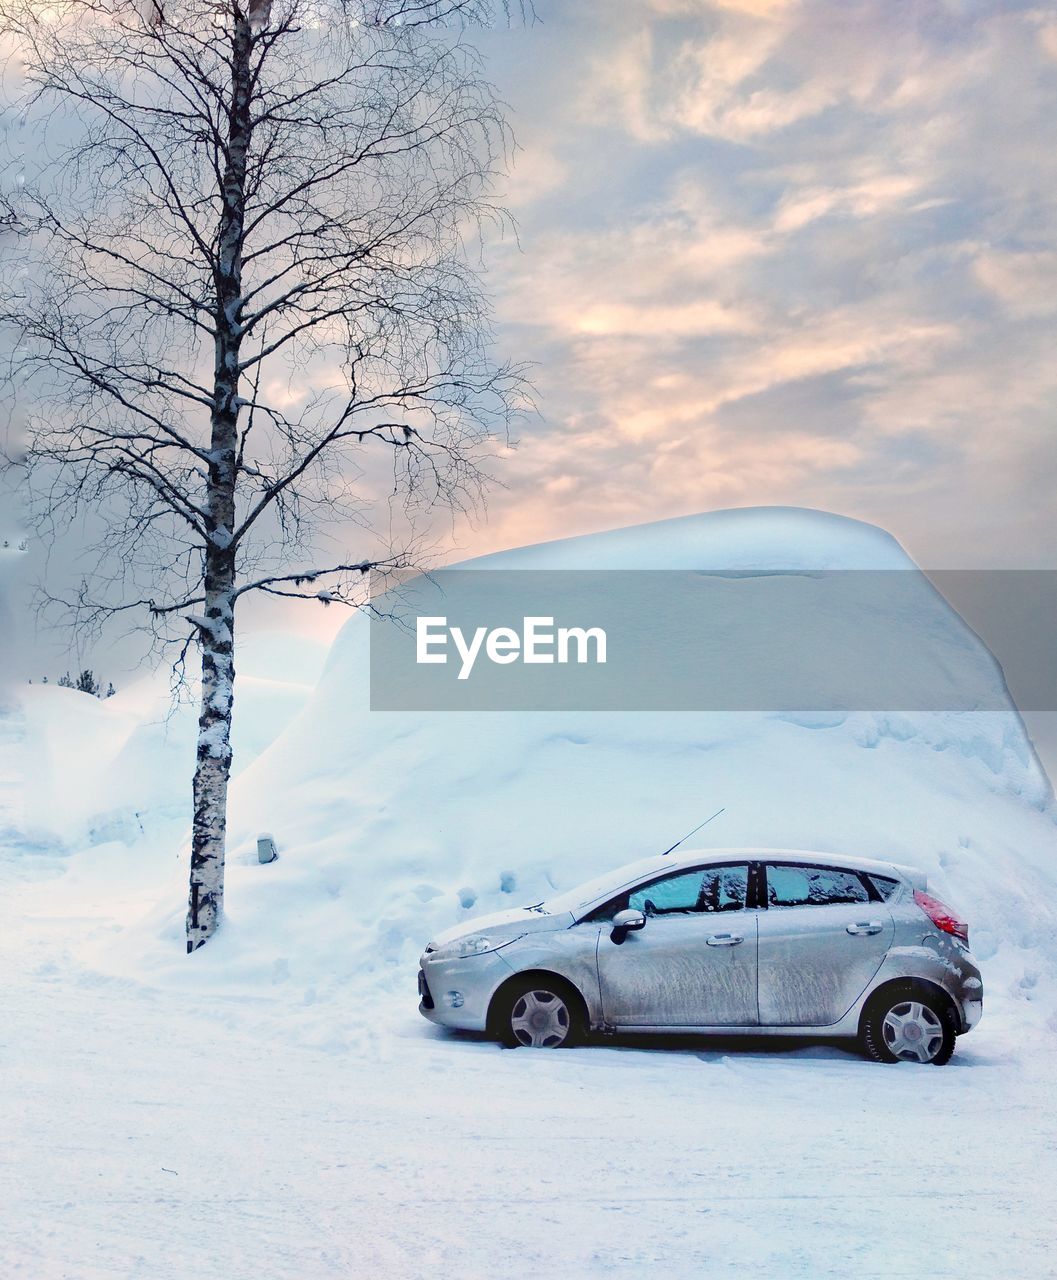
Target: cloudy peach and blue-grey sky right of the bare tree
777	253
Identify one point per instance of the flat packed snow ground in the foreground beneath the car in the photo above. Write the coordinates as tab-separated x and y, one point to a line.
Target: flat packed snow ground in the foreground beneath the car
163	1137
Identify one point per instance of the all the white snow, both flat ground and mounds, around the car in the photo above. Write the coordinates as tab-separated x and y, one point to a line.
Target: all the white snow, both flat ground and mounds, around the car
274	1107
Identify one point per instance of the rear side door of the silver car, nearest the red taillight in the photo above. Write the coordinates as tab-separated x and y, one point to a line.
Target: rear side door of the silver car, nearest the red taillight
821	941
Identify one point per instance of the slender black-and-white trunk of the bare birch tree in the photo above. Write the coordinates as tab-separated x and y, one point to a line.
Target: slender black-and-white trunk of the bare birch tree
217	629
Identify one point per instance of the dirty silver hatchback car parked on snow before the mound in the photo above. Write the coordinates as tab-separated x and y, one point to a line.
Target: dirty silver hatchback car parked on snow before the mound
736	941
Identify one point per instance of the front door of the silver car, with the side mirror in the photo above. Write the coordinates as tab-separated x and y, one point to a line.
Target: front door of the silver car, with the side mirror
694	963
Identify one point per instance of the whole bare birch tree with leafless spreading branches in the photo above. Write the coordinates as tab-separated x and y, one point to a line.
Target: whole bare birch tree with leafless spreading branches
241	275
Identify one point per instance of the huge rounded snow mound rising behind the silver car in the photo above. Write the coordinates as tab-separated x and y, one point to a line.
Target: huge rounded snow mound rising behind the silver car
395	826
